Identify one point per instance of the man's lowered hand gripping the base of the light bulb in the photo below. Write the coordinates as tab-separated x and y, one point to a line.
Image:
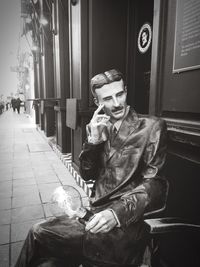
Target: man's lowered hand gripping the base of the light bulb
101	222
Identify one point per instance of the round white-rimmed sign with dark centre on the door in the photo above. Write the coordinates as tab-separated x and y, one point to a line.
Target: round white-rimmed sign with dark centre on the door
144	38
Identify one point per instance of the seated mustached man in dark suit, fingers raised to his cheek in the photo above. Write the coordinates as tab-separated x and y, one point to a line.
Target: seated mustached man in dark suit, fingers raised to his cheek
124	154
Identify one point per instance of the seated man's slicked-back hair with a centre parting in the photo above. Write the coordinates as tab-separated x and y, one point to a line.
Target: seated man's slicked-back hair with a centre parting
106	77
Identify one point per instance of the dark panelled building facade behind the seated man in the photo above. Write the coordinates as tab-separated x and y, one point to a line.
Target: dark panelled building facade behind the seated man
156	44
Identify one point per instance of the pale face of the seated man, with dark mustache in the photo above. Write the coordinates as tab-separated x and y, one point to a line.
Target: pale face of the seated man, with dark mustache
113	97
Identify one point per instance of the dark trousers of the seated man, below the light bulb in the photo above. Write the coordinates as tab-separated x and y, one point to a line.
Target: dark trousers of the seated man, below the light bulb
65	243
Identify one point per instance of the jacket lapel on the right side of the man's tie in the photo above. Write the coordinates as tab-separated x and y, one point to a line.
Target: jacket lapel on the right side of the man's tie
128	126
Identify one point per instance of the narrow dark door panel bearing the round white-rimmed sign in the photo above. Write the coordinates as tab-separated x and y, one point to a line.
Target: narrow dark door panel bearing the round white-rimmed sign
139	61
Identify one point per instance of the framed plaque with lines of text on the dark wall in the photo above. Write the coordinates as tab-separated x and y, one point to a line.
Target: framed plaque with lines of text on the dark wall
187	36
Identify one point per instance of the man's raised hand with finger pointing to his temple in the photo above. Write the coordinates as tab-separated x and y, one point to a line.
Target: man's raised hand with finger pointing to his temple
96	126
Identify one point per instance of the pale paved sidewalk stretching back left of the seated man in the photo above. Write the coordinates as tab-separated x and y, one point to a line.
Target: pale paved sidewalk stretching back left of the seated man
29	172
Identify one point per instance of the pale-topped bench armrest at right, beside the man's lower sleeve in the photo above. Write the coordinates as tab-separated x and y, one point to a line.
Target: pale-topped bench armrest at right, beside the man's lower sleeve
170	224
